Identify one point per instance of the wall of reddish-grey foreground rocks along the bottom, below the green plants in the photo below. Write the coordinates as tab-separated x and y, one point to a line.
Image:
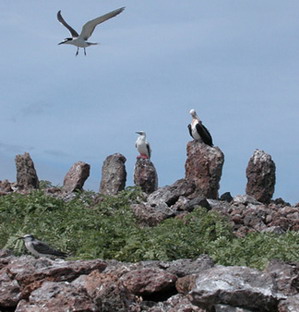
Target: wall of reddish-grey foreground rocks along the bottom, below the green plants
185	285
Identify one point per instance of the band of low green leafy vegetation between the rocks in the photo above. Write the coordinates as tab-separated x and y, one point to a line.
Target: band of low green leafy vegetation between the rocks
88	227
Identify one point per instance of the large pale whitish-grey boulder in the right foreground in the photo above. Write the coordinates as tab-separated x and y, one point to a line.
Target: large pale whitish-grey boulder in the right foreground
235	286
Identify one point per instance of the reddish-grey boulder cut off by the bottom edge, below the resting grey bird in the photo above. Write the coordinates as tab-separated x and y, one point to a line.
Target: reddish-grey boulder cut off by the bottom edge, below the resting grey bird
57	297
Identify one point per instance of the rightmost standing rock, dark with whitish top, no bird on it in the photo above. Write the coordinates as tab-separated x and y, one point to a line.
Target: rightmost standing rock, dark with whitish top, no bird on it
260	175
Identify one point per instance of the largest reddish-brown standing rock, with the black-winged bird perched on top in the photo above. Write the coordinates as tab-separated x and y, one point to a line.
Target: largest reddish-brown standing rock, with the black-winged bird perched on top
204	166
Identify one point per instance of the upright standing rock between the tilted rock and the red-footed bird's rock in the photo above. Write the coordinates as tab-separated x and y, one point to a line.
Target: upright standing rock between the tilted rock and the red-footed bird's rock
114	174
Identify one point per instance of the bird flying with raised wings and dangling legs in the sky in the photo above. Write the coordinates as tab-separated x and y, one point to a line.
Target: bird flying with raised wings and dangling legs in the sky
80	41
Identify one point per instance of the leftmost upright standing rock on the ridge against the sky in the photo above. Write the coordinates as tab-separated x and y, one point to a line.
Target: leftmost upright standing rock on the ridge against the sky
26	173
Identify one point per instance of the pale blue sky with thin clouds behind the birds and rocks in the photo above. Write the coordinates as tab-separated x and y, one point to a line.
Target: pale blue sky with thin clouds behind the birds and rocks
235	62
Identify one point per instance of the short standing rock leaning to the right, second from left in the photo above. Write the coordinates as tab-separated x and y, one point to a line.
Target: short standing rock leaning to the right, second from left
76	177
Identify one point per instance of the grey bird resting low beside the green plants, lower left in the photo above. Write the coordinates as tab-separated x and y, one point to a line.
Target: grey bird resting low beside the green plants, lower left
40	249
